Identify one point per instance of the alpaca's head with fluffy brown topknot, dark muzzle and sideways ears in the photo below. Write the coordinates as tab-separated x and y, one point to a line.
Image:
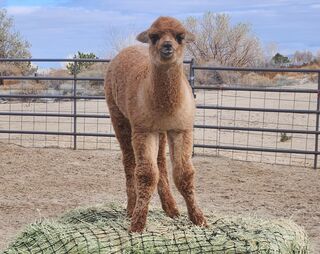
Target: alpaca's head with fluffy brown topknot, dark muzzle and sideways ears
167	38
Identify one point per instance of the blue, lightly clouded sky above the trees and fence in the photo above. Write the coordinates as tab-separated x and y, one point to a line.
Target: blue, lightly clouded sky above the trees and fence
60	28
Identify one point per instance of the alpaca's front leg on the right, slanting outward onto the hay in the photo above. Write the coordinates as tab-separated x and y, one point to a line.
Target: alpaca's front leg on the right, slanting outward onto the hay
180	144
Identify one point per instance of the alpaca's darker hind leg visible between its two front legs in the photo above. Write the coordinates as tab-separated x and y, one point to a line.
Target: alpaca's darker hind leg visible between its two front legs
168	203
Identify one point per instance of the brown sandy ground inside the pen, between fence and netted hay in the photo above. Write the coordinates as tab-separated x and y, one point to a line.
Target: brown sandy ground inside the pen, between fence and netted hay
38	183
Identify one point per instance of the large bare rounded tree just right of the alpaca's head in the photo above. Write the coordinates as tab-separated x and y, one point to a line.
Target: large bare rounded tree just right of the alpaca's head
220	42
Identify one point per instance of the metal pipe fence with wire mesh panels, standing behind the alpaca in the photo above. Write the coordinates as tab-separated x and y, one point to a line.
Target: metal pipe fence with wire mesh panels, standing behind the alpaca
276	123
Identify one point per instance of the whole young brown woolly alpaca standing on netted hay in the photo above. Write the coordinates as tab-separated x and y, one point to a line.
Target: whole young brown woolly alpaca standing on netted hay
150	100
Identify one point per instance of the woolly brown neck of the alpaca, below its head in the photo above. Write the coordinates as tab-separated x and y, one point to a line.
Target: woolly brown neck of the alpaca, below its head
166	81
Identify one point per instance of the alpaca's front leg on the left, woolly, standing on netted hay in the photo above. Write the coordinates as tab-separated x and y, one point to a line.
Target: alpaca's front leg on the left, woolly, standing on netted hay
145	147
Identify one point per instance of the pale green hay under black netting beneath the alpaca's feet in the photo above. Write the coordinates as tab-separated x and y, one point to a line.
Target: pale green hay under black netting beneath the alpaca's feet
104	230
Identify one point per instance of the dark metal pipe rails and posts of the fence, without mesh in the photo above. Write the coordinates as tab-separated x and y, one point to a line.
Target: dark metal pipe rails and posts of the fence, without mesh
75	115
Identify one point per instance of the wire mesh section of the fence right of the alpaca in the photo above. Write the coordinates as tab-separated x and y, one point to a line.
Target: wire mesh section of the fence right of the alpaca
265	126
